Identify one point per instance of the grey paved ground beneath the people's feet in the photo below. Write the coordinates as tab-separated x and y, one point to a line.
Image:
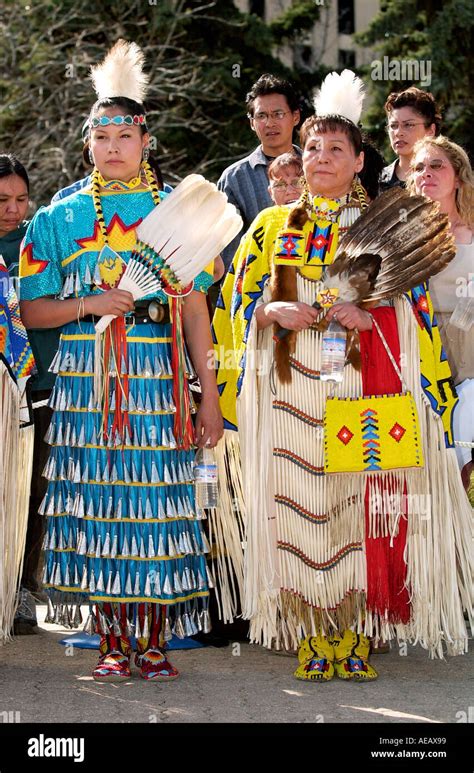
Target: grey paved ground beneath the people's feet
45	682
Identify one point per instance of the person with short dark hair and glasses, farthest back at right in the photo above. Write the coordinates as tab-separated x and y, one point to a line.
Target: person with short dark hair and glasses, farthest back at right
411	115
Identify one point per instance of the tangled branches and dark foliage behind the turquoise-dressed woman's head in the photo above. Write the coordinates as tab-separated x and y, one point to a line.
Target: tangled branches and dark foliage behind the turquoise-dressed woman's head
202	57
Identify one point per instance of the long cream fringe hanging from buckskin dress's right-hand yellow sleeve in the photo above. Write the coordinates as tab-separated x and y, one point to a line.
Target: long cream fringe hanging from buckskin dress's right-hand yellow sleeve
439	539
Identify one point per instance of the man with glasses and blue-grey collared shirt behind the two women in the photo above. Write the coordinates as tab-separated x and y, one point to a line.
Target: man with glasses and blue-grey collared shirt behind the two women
273	111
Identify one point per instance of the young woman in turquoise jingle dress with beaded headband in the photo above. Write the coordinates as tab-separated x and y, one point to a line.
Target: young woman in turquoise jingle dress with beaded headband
123	532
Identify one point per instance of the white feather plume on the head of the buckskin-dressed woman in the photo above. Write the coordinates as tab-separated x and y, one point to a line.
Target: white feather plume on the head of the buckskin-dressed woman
340	95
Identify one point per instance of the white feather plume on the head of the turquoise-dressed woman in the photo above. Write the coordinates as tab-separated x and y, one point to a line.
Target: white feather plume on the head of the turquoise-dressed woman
121	73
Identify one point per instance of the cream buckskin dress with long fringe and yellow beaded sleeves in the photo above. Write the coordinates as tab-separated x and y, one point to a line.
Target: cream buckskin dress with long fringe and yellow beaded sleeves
306	539
